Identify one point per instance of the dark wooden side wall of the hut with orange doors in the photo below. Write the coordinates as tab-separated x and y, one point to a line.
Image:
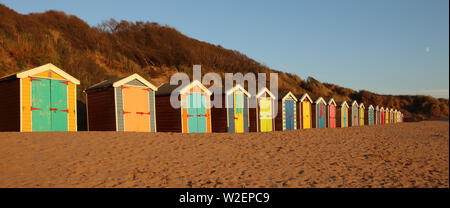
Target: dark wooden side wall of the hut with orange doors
101	110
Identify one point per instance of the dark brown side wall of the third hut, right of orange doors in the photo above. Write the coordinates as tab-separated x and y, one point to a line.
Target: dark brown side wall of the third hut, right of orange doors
168	119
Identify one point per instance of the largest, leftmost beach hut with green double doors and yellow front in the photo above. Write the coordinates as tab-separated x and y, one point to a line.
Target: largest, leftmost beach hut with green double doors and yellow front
39	99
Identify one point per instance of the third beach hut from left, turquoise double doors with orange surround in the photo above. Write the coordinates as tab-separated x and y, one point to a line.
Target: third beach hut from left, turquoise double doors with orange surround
192	110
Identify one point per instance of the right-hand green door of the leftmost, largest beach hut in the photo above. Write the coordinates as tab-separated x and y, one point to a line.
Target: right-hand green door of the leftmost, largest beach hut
58	105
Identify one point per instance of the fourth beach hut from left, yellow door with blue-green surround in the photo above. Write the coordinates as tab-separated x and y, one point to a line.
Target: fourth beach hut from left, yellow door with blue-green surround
233	115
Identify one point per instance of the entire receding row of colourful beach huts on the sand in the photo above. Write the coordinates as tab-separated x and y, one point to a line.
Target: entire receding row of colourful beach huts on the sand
44	99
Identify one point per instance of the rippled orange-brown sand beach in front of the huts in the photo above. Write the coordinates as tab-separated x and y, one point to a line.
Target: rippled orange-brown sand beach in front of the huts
395	155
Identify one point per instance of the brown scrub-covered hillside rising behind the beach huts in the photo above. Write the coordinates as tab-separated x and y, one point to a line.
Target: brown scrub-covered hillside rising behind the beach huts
114	49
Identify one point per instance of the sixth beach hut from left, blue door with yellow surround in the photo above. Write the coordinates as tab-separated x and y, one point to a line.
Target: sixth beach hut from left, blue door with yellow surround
286	118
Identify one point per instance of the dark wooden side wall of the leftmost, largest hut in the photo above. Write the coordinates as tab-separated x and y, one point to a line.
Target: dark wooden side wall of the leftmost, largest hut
10	105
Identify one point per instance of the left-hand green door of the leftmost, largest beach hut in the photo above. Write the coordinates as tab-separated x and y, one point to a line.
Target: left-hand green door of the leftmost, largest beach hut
40	104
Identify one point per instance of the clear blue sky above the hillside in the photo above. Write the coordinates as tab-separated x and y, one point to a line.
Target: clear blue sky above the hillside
384	46
